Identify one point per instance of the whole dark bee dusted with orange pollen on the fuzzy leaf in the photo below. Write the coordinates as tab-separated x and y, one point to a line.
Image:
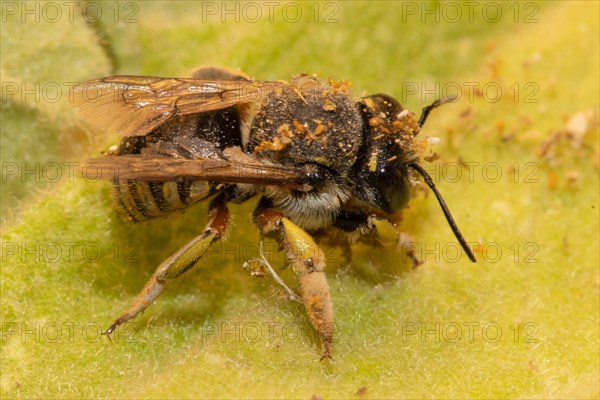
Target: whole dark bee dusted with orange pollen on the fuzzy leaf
324	164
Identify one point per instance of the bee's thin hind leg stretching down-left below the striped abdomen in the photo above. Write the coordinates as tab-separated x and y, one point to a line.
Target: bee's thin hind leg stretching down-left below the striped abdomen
183	260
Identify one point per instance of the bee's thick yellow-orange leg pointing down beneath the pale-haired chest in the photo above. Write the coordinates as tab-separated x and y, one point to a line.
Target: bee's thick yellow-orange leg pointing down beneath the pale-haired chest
308	263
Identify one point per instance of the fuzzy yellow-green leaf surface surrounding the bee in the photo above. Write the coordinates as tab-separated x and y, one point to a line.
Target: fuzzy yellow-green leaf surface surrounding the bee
522	322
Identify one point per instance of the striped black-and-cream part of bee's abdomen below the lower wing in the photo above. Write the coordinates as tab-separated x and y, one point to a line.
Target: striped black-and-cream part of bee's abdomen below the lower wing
140	201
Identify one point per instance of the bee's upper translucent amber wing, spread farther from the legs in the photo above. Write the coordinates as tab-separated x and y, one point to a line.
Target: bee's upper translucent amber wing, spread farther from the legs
135	105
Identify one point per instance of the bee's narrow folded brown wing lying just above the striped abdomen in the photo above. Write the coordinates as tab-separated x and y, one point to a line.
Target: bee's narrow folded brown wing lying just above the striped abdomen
245	169
